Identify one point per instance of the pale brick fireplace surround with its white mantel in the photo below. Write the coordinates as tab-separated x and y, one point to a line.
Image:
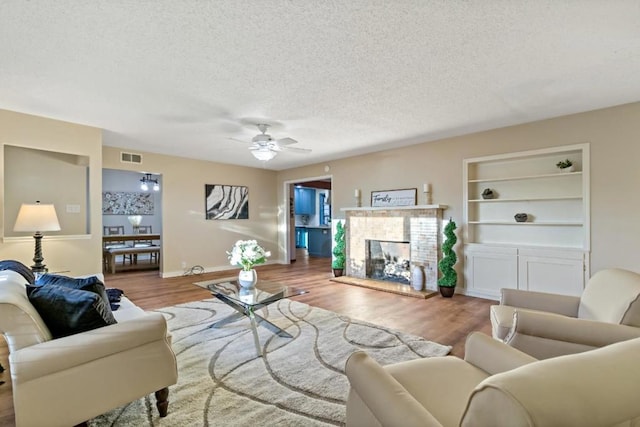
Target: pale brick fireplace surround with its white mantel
421	226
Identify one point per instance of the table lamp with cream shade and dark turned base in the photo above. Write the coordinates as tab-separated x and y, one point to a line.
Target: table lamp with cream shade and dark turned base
37	218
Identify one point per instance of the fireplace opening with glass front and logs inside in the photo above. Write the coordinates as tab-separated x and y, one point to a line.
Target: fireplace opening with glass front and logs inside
387	260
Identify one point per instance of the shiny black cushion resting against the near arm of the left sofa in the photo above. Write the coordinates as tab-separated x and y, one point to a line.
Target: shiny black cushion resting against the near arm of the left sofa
67	311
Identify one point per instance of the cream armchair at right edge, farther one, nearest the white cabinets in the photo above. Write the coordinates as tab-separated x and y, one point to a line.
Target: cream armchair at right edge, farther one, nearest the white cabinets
547	325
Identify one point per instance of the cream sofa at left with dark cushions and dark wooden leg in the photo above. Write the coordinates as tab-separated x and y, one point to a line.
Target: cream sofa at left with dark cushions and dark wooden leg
67	381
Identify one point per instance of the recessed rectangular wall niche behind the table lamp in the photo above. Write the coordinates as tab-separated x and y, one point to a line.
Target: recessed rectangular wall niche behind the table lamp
61	179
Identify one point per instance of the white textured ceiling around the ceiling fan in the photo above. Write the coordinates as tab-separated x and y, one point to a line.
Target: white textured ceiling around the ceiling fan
341	77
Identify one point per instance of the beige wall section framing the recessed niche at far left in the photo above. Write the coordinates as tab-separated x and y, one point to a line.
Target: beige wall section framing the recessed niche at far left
76	254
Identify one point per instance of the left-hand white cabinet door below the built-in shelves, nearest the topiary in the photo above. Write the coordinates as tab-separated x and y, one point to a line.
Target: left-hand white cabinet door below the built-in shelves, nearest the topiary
487	270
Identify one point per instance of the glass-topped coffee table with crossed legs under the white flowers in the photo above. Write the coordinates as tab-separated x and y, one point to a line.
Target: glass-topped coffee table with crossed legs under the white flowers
247	301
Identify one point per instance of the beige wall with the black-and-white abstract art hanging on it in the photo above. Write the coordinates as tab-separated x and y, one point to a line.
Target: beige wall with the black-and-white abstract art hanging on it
186	234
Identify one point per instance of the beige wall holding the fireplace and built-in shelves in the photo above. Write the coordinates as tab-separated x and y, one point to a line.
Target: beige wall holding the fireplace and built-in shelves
615	175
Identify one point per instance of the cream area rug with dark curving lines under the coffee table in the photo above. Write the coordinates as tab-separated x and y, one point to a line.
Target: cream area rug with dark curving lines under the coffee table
300	381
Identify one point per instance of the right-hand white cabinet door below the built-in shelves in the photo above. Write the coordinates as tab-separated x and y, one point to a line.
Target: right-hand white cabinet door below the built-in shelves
557	272
